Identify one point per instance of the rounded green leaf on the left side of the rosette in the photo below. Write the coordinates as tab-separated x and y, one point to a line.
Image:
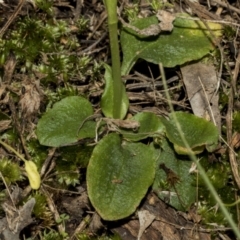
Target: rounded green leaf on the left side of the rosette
60	125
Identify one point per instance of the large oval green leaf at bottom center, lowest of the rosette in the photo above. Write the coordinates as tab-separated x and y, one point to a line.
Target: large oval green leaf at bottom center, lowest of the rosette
118	176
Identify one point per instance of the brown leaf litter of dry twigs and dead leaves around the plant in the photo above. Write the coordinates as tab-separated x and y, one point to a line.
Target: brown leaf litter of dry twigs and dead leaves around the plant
32	92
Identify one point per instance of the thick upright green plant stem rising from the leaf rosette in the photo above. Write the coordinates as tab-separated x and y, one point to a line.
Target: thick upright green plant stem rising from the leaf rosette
111	6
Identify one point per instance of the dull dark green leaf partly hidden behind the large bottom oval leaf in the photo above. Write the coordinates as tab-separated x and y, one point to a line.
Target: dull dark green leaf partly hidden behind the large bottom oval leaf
185	195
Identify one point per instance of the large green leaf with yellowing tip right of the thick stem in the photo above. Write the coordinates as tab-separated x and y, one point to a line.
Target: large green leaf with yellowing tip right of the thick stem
189	40
